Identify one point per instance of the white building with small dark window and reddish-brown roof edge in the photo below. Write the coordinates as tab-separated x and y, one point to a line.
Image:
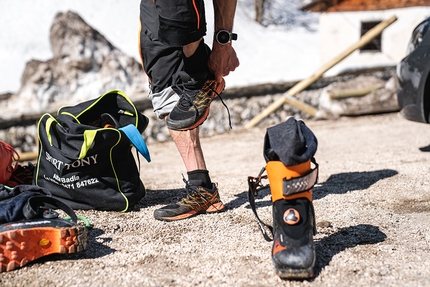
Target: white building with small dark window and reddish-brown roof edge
344	21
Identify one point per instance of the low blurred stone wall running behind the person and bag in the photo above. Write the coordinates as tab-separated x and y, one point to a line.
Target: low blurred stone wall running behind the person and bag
243	108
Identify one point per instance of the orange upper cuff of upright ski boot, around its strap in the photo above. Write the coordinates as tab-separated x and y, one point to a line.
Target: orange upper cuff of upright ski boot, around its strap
277	171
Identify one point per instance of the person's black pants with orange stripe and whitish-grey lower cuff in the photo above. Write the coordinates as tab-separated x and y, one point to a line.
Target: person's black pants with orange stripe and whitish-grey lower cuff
165	28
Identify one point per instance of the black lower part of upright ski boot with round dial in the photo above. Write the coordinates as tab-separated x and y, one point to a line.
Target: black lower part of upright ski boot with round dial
293	251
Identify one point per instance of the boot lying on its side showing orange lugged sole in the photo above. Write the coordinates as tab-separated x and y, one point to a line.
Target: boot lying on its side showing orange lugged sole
24	241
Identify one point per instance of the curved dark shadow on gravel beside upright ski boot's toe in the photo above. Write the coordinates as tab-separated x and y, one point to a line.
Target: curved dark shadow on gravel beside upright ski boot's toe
344	238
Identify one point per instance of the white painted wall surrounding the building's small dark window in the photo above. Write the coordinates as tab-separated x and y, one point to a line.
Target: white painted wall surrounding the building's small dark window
340	30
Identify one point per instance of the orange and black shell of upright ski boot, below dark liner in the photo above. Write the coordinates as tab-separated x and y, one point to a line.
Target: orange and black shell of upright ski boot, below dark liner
293	251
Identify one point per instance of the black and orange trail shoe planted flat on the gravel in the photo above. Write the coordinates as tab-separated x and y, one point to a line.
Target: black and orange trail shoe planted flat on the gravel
199	200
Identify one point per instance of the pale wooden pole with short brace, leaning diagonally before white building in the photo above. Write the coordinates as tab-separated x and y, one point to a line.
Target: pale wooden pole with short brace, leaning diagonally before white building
288	96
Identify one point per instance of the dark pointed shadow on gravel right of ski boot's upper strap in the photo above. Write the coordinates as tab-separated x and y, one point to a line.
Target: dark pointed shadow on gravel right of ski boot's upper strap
349	181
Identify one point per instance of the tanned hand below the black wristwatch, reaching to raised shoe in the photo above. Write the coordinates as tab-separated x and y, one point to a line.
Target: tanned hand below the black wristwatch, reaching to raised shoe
222	60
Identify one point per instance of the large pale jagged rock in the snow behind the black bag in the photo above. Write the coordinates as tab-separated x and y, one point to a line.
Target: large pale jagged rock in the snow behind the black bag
84	65
